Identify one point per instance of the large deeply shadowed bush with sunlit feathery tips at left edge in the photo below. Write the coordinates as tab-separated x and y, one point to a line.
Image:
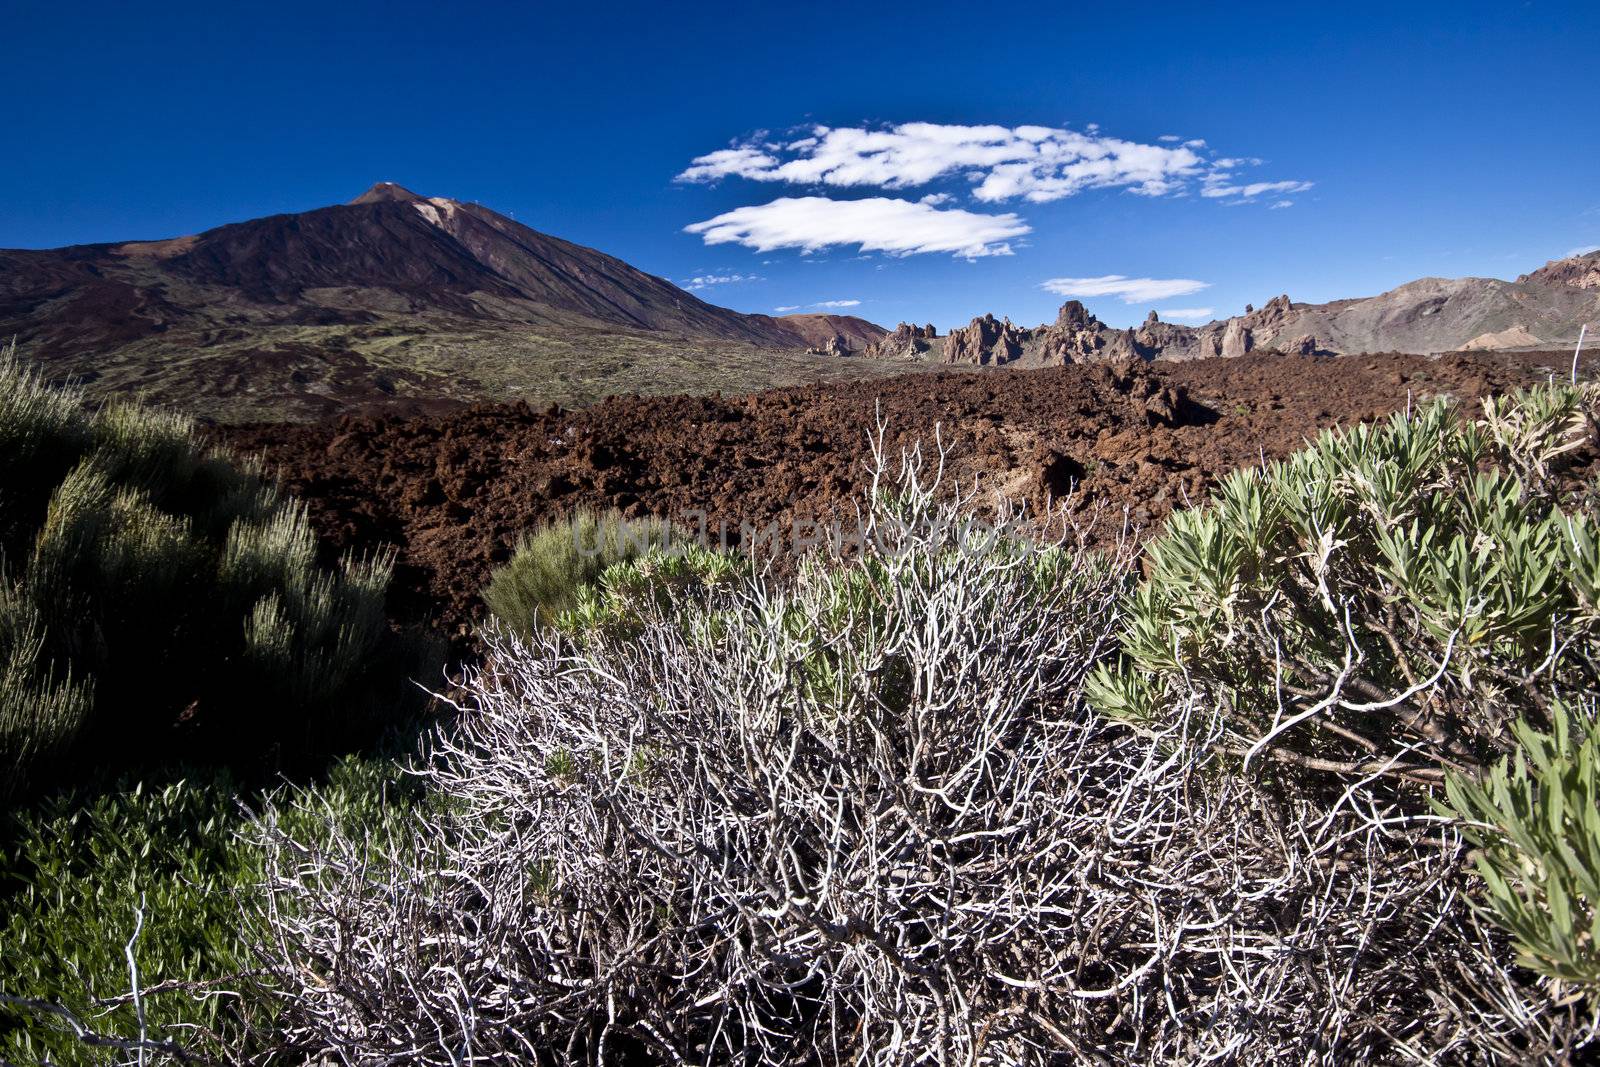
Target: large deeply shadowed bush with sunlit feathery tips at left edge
161	601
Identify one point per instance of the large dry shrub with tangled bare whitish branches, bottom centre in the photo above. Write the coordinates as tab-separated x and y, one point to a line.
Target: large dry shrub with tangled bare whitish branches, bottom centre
871	818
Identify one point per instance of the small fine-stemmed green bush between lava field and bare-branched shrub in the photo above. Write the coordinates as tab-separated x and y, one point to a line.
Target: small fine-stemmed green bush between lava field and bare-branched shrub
556	562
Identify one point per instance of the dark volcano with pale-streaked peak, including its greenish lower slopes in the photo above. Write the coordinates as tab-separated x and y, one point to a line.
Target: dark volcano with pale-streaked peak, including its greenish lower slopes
393	298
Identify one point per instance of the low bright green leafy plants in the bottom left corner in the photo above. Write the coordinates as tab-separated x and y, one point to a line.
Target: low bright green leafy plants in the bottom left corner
81	869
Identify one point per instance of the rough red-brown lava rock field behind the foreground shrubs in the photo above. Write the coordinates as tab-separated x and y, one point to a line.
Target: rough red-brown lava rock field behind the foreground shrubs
455	490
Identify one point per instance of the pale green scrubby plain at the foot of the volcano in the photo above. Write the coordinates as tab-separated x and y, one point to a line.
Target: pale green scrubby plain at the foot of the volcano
270	374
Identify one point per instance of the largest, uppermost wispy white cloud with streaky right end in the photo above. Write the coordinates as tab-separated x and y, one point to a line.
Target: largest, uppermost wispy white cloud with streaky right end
1036	164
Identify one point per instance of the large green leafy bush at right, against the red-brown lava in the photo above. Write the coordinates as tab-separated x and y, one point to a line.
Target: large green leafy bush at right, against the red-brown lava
1391	589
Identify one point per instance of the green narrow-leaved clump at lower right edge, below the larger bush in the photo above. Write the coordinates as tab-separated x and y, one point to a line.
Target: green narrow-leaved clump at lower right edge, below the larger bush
1537	823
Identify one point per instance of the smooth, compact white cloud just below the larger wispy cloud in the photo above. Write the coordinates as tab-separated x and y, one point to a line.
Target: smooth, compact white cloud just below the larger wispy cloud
900	228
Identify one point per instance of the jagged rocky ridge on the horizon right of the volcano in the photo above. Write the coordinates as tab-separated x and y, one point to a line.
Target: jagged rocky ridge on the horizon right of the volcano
1538	311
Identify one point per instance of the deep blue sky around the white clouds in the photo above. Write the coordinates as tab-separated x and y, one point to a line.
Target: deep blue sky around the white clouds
1441	140
